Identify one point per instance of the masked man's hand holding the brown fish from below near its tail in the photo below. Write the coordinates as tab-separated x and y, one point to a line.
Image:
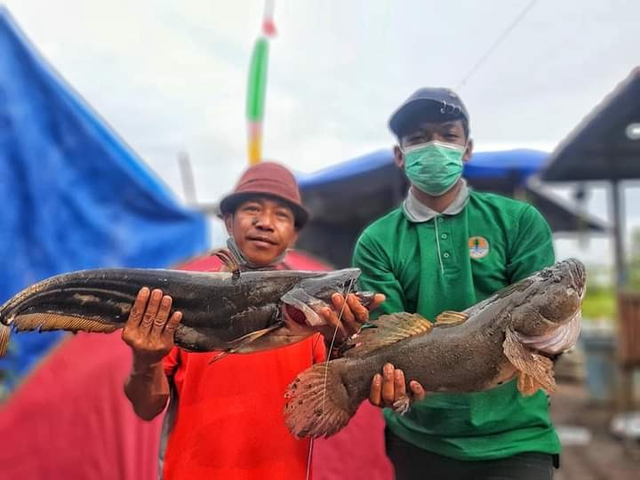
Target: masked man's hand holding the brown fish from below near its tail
389	390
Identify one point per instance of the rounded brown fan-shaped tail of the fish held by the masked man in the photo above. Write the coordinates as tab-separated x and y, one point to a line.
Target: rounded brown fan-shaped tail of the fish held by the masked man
318	401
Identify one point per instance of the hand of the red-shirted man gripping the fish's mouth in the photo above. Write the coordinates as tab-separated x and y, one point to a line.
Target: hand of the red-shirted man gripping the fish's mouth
347	317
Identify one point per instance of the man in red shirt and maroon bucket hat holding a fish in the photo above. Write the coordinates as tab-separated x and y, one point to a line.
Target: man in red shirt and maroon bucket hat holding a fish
225	419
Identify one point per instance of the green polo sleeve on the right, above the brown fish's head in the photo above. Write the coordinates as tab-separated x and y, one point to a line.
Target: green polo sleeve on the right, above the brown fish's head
531	249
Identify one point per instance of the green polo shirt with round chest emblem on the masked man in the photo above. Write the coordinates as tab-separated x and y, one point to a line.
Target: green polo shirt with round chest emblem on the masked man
451	263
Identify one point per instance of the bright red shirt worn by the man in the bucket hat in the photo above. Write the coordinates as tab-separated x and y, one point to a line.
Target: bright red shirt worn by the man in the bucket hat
229	420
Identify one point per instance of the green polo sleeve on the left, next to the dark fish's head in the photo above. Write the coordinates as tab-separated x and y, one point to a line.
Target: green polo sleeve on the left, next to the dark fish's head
377	275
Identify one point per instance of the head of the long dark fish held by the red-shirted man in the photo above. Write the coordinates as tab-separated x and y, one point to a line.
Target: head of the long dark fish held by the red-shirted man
302	303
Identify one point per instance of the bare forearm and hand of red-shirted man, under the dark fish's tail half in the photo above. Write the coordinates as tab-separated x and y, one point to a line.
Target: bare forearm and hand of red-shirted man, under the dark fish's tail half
149	332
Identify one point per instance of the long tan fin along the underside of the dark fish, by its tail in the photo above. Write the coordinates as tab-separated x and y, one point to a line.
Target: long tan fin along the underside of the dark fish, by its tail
54	321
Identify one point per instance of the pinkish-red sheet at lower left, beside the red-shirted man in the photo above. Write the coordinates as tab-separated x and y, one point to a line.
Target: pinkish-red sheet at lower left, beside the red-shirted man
71	420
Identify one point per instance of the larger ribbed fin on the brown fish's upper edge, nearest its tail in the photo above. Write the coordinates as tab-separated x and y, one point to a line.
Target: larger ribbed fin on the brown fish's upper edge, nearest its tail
388	329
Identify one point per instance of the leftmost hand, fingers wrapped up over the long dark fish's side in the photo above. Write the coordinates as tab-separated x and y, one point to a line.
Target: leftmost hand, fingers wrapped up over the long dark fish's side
149	330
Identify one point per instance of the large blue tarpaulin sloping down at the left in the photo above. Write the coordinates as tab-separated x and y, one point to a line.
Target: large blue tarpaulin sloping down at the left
73	195
